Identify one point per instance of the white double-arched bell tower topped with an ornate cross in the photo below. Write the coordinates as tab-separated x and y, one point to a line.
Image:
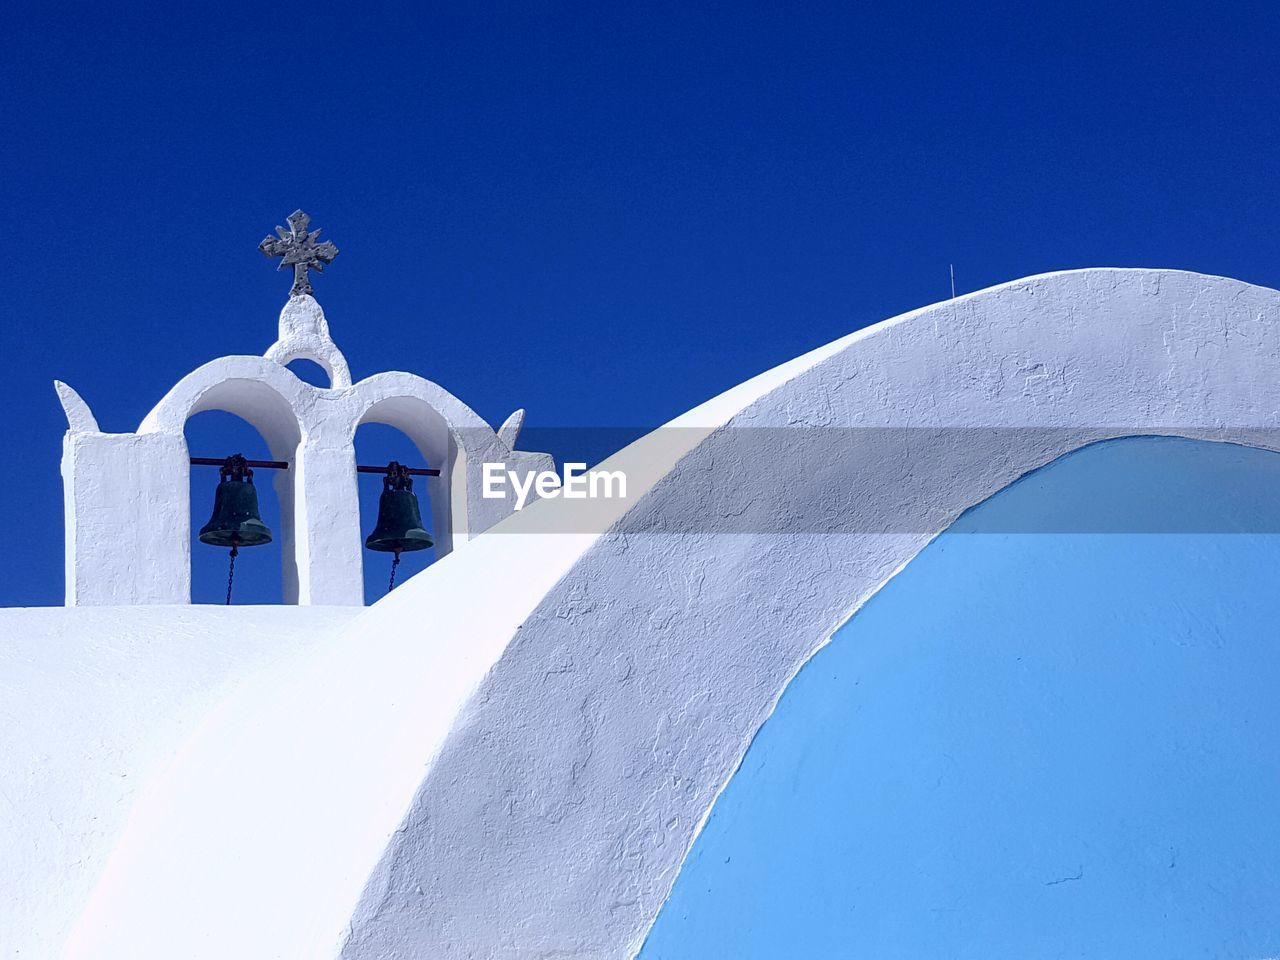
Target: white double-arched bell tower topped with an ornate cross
127	496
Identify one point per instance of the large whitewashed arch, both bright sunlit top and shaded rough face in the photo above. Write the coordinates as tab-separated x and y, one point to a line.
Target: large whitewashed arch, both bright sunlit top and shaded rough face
511	756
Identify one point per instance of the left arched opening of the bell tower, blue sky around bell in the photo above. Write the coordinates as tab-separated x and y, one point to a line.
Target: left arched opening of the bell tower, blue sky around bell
217	435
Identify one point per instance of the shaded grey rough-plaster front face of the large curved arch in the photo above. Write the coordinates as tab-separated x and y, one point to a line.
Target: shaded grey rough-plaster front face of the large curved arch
557	815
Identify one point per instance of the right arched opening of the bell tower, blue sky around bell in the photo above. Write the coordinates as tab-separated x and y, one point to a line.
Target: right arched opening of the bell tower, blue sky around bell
377	445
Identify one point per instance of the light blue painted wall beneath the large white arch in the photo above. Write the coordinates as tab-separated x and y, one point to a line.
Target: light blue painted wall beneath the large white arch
1052	744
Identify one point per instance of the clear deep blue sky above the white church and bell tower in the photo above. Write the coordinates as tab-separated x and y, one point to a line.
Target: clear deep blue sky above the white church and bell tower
602	216
